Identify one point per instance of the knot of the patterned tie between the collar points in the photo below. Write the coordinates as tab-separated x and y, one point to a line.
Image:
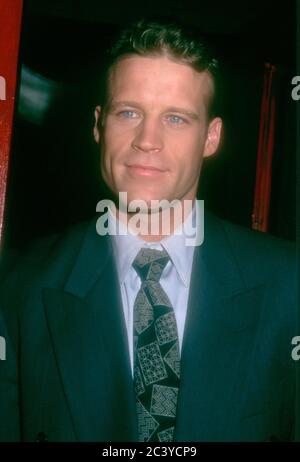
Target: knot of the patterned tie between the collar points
150	263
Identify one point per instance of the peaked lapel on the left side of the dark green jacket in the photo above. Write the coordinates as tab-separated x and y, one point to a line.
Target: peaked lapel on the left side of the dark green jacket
87	327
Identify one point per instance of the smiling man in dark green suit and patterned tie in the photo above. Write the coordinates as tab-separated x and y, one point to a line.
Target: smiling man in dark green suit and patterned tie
144	338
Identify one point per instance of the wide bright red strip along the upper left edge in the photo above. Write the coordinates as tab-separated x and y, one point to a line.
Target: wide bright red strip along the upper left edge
10	26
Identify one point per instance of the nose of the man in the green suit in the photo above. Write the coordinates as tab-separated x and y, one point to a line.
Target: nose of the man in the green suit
148	137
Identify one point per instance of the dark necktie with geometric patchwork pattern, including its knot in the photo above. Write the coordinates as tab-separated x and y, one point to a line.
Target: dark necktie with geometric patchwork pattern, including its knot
156	351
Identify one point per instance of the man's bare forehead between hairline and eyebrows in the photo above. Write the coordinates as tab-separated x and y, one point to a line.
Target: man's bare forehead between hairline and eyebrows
159	80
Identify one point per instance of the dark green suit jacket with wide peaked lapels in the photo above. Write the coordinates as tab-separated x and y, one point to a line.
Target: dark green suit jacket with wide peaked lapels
67	373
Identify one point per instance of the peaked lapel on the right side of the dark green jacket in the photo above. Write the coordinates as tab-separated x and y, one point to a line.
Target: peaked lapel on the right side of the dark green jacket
218	338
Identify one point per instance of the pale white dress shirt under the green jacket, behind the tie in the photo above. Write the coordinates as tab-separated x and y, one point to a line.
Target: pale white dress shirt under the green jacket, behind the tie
175	278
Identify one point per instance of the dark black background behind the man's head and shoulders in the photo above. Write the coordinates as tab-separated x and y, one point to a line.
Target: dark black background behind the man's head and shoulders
54	171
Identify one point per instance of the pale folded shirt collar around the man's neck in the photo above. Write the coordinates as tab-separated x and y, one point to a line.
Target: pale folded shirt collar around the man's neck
126	246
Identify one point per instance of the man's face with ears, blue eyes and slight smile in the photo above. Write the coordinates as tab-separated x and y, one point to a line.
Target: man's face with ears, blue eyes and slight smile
155	131
